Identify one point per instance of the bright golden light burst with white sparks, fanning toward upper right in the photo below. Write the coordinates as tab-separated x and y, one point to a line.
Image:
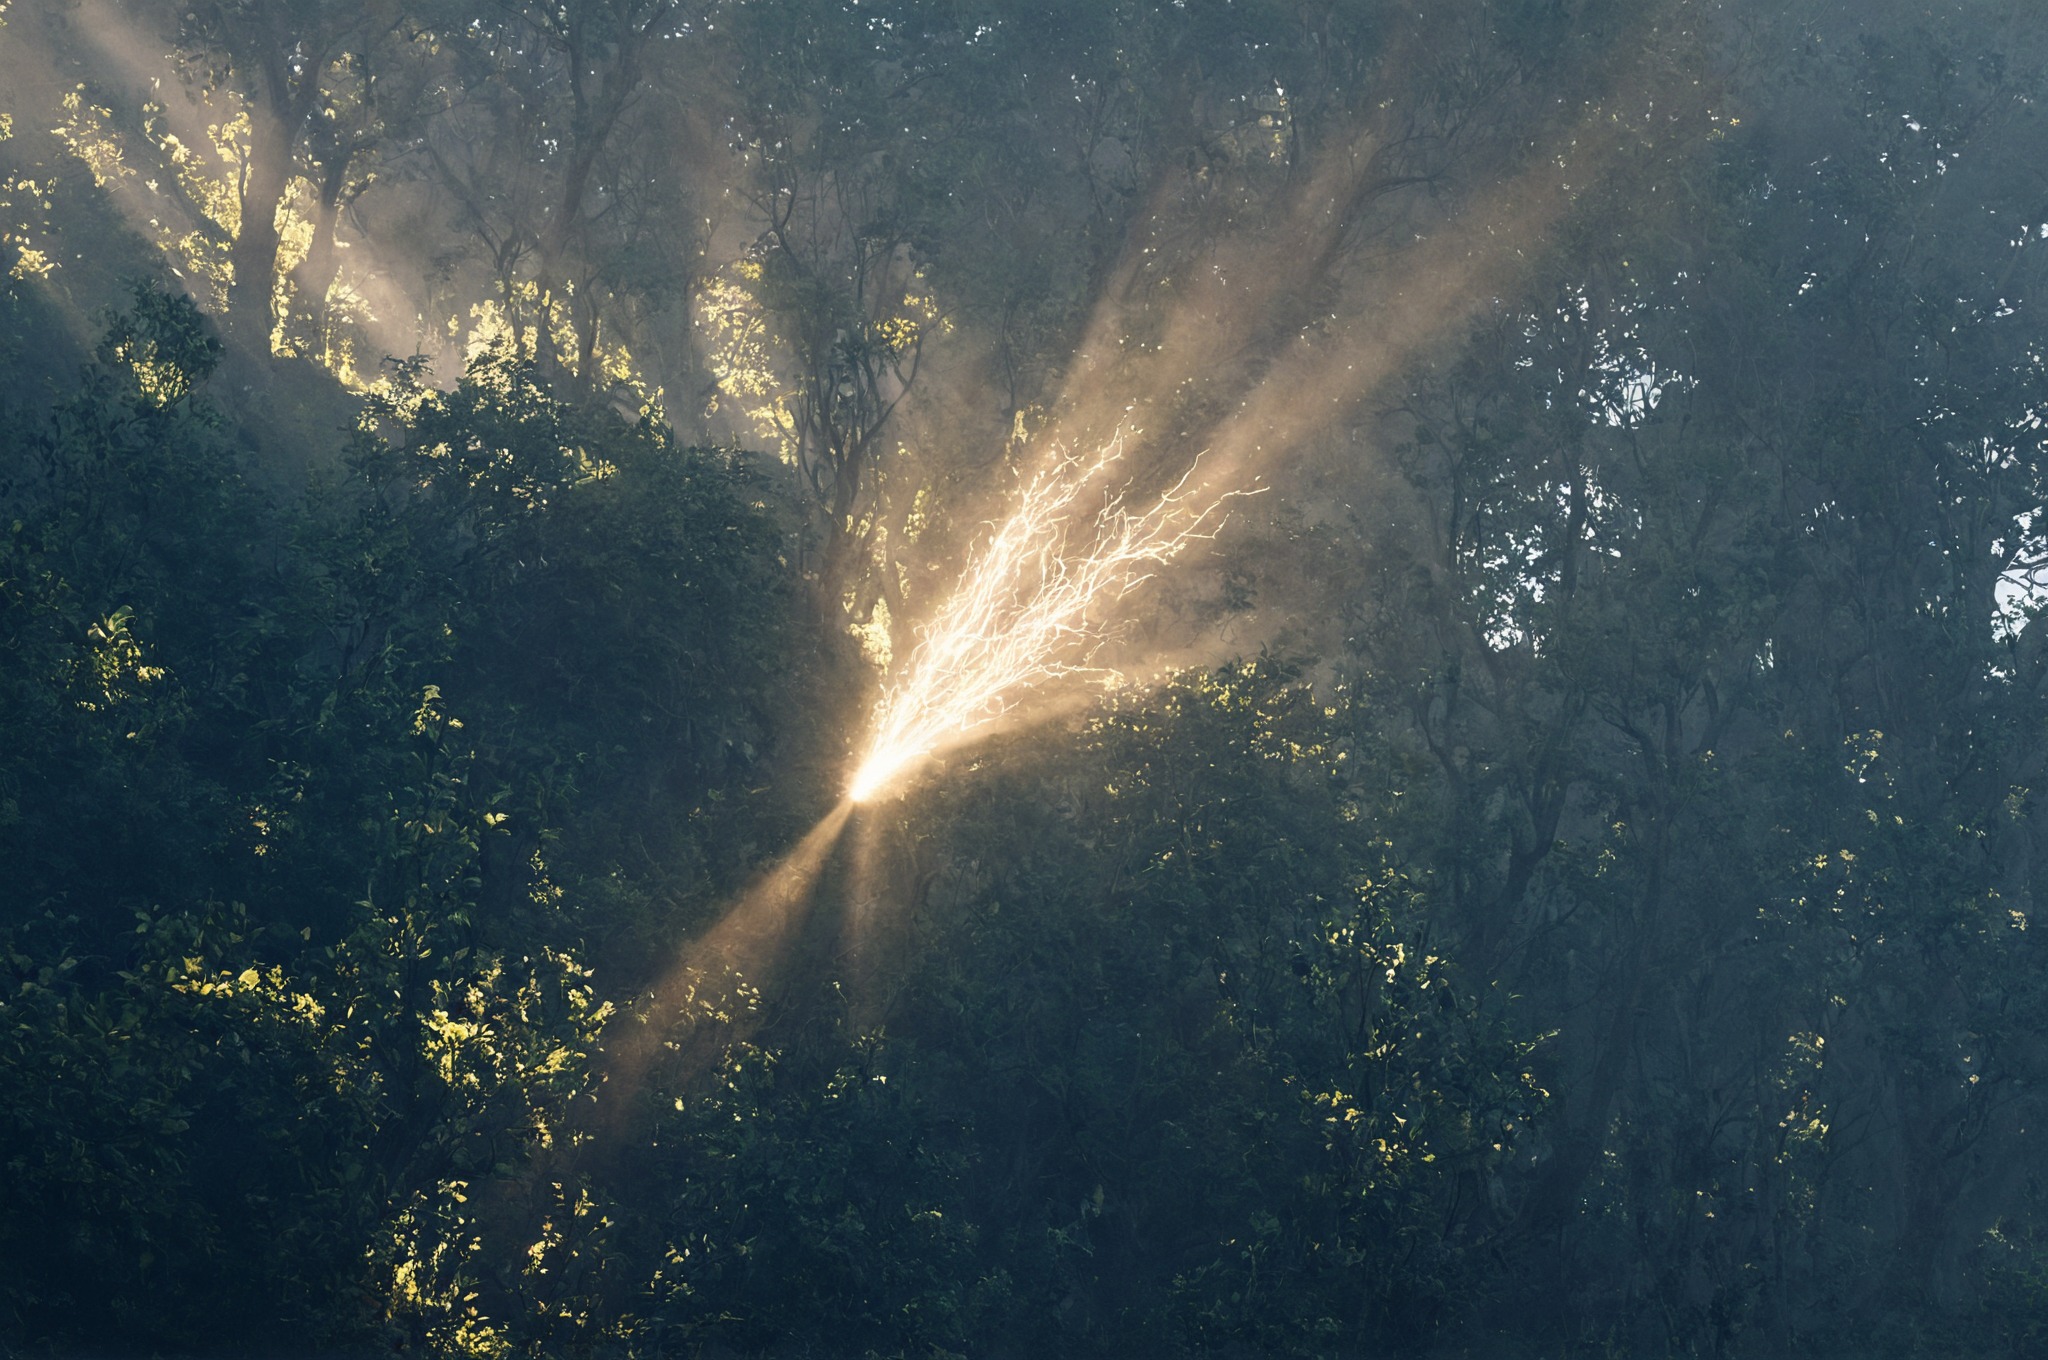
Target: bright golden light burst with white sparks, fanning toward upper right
1039	599
